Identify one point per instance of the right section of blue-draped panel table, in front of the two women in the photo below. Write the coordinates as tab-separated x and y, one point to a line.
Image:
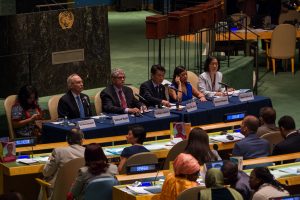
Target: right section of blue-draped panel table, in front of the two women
207	113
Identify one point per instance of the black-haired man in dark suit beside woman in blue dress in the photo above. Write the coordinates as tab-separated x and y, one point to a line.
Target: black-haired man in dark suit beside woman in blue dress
152	90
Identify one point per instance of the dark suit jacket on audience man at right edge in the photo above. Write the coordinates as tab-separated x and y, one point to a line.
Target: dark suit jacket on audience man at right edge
289	145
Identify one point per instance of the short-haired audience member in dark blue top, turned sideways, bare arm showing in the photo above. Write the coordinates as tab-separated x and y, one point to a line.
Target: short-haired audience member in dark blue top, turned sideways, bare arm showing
136	136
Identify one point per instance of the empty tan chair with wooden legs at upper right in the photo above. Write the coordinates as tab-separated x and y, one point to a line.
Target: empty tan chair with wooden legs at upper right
282	48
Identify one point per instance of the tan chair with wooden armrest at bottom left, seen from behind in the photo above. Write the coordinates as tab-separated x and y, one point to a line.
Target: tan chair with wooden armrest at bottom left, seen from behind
64	179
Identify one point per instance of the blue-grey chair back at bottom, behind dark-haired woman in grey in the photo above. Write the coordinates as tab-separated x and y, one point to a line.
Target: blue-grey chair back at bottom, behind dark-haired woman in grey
100	188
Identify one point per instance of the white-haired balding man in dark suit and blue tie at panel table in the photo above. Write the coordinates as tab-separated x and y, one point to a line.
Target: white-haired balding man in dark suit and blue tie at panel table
74	104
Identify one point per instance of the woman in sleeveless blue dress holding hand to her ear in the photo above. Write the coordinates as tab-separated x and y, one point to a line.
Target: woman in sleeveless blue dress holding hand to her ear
185	90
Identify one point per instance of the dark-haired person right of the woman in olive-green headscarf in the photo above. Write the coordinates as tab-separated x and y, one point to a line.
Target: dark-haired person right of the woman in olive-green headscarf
238	180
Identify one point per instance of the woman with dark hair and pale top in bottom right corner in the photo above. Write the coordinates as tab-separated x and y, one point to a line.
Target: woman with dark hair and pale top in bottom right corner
265	185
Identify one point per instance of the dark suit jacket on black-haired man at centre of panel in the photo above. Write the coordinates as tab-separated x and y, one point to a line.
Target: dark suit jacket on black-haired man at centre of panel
153	97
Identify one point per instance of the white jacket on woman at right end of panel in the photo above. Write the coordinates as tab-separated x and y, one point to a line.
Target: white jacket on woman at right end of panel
205	84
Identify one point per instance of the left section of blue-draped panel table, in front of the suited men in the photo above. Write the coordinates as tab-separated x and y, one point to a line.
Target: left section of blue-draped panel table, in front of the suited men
57	133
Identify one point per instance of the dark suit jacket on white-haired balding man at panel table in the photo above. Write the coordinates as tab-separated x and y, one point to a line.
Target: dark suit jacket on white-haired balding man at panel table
67	106
